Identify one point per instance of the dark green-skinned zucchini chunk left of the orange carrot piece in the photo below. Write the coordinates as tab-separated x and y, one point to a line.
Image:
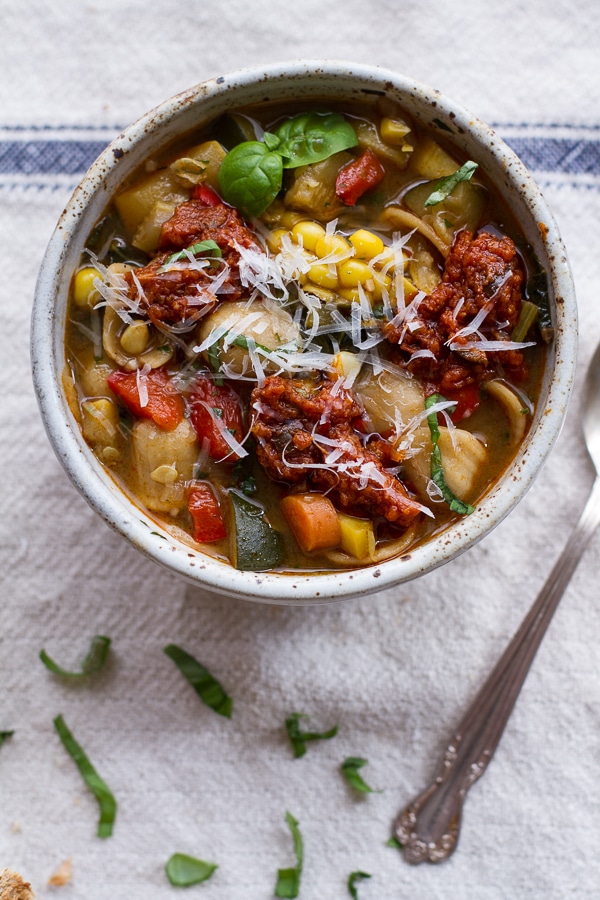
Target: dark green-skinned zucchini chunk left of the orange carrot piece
257	546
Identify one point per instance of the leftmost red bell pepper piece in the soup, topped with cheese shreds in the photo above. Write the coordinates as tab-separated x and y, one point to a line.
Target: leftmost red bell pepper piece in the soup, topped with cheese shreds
164	405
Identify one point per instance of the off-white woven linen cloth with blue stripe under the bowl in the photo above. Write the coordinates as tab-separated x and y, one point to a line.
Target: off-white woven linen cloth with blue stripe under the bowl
394	670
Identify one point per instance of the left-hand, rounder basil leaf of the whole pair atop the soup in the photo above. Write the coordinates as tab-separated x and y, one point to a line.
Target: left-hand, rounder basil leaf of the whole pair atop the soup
250	177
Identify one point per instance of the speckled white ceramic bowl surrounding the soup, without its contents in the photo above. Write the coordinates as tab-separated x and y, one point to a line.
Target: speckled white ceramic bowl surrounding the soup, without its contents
192	108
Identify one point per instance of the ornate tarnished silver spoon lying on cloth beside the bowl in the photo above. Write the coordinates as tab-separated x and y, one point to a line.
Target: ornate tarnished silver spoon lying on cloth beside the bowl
429	826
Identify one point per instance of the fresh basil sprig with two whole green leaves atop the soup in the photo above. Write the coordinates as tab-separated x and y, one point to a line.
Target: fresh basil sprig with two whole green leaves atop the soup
251	175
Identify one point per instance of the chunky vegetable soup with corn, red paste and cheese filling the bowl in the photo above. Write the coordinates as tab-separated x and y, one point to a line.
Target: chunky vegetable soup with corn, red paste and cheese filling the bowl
307	338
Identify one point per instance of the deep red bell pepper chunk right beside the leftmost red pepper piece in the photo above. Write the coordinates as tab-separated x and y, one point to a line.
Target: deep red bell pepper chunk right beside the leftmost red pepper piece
215	409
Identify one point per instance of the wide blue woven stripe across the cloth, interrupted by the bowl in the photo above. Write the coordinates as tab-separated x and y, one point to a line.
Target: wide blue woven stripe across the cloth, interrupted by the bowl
562	155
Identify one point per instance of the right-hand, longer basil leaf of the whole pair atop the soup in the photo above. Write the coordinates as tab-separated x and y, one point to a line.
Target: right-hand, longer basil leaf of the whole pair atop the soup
312	137
